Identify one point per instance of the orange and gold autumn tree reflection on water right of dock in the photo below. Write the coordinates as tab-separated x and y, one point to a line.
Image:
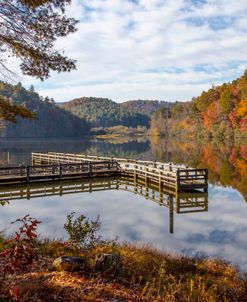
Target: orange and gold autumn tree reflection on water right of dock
227	165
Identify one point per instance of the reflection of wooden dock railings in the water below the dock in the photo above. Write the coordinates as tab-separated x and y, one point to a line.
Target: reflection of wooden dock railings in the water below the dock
175	202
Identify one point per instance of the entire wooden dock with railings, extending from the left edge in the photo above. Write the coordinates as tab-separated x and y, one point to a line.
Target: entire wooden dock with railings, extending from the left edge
50	166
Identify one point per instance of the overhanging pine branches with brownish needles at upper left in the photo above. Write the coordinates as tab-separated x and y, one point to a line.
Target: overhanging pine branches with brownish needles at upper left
28	30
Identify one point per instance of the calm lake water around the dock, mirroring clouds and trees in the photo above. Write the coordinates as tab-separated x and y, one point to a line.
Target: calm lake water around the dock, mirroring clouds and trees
219	232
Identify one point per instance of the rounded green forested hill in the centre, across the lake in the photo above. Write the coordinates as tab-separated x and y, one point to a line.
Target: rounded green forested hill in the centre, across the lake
101	112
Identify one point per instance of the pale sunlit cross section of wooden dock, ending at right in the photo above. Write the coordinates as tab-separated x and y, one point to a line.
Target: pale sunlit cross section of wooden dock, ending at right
174	177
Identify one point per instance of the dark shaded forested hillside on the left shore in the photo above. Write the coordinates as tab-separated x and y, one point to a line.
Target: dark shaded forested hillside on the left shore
51	120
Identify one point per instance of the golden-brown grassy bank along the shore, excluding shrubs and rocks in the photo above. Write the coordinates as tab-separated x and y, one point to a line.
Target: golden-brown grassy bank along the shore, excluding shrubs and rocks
146	275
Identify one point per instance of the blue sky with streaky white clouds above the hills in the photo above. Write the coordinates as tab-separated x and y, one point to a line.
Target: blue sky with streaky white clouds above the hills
150	49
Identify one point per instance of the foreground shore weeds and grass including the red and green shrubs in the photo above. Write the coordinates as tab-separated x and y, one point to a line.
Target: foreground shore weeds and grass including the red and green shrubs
145	275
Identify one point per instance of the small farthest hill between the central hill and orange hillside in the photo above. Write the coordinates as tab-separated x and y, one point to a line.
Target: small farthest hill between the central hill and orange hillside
147	107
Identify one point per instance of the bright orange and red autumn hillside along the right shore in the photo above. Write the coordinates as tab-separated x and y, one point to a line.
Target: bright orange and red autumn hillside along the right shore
220	112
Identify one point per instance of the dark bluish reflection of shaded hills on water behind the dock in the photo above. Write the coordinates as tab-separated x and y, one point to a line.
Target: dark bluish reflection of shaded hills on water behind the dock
18	151
